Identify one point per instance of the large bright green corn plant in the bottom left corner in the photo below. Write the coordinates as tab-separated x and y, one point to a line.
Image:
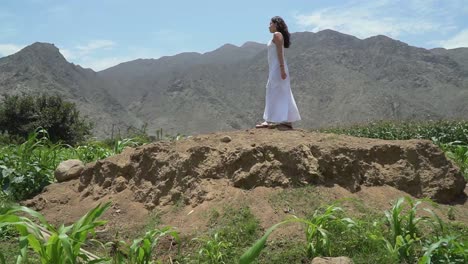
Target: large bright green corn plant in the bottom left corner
53	245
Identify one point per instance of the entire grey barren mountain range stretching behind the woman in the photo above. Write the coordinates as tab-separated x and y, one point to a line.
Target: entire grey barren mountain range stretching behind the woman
337	79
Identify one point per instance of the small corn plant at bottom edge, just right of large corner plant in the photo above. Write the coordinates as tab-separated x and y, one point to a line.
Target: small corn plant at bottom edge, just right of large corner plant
141	250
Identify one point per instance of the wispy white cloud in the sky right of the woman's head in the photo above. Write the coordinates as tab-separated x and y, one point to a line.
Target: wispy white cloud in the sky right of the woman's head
365	19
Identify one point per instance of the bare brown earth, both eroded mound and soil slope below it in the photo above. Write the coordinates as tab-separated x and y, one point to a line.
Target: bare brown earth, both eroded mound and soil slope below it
275	173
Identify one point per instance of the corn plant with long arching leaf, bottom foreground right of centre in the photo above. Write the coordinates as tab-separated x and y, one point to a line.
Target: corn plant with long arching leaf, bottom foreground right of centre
317	234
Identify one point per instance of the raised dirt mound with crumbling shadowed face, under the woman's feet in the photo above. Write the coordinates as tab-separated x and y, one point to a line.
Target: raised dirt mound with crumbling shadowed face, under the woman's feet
168	172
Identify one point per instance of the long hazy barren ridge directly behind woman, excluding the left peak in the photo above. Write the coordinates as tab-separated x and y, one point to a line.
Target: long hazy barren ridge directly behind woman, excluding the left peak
336	79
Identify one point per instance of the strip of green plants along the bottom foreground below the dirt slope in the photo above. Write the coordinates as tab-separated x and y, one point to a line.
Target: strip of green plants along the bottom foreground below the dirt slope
400	235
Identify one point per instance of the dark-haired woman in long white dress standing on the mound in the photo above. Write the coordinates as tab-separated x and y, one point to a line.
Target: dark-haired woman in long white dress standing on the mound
280	107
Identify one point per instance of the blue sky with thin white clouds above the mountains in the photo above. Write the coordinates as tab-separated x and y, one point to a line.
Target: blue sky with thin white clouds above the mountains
102	33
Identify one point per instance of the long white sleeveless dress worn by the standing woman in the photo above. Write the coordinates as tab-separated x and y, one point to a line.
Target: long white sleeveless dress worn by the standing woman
280	105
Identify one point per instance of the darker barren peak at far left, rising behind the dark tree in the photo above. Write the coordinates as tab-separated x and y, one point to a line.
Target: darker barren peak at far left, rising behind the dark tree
40	68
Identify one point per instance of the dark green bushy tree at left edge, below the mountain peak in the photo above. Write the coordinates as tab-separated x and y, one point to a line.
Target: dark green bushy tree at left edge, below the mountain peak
23	114
